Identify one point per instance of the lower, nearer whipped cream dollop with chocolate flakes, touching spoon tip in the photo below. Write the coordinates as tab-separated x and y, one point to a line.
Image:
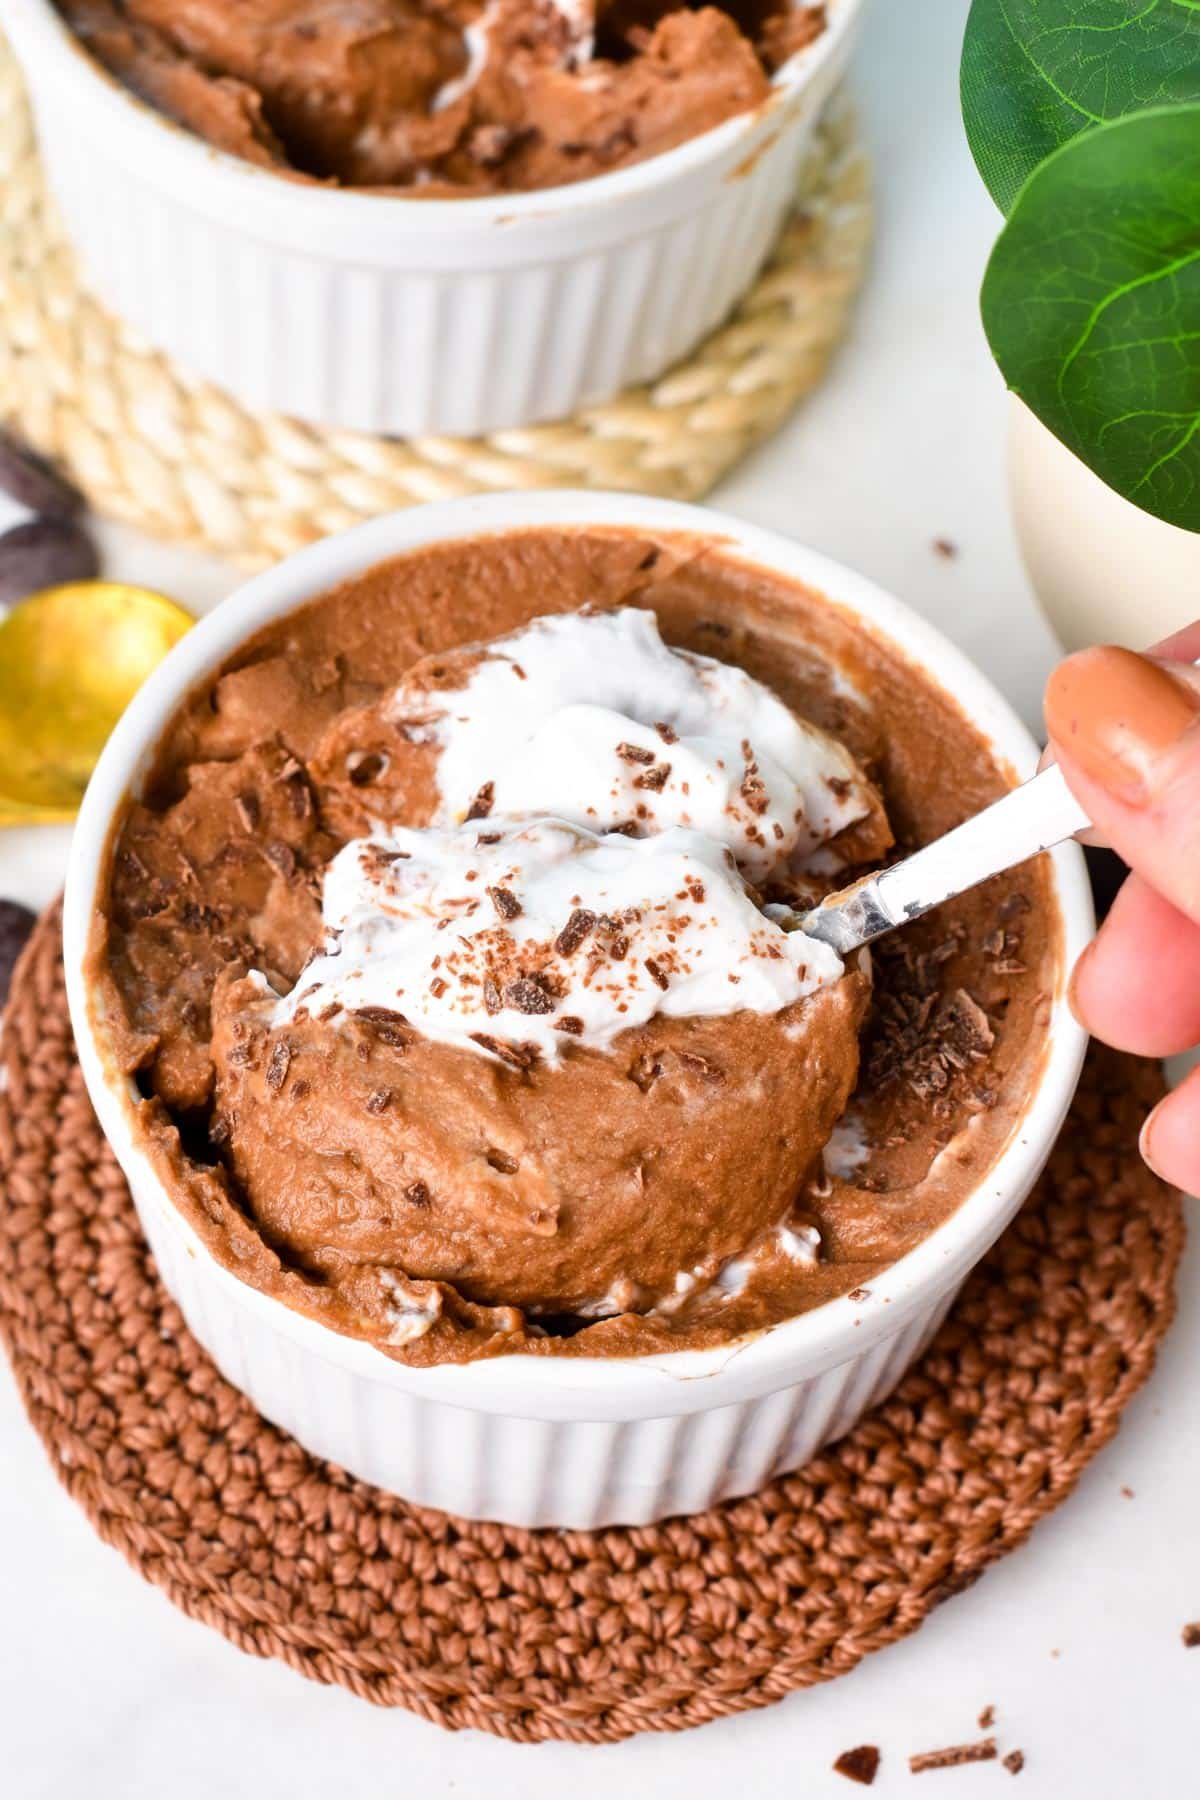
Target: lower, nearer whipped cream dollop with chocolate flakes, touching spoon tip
503	931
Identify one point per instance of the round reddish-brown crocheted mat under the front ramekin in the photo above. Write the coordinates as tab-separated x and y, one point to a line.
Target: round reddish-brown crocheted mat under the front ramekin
578	1635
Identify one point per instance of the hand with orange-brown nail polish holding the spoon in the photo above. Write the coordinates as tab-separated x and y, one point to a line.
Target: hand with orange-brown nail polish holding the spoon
1125	732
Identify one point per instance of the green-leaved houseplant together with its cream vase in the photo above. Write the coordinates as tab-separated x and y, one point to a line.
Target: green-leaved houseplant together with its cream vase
1084	120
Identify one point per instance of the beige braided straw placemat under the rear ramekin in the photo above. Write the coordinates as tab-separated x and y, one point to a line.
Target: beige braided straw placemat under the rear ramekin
183	460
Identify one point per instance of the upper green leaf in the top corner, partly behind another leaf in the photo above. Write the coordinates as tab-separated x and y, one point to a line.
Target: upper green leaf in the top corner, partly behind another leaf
1039	73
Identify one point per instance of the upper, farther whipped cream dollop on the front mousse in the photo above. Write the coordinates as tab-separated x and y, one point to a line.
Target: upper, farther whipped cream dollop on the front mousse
591	717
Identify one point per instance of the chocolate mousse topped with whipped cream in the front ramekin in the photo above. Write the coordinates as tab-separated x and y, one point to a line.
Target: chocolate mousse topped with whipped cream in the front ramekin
449	949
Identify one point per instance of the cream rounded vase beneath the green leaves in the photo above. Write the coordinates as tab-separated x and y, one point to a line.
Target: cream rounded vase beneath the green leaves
1104	571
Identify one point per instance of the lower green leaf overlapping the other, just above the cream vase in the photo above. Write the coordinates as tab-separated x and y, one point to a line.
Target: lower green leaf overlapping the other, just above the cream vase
1093	305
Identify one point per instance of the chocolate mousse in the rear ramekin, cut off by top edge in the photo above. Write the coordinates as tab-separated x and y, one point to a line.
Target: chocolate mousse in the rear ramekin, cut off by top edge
447	96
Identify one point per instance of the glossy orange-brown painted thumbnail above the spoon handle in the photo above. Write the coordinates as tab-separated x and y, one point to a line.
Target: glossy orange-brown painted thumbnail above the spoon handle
1118	715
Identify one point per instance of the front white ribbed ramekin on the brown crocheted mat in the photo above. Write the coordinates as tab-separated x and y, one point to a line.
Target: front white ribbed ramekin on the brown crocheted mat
532	1441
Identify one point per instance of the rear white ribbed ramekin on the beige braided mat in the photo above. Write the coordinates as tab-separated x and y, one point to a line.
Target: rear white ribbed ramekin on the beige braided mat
382	314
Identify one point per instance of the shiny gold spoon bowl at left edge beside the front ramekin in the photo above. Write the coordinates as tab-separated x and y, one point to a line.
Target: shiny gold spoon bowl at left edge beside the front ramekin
71	661
